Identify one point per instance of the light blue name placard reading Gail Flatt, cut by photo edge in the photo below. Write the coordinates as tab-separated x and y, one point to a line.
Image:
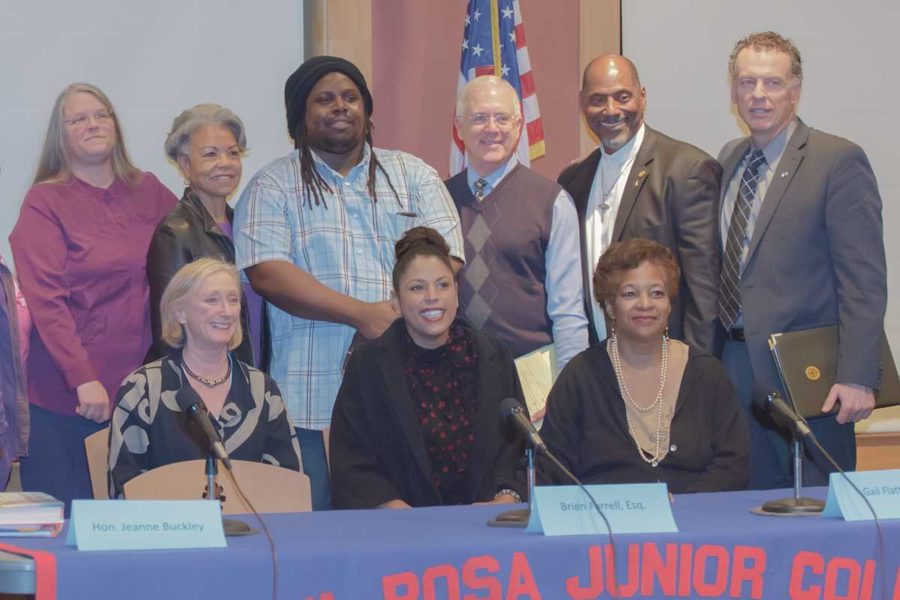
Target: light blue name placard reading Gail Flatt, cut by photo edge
881	489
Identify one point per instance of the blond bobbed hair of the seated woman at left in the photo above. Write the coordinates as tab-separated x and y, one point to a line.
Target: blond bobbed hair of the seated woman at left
182	285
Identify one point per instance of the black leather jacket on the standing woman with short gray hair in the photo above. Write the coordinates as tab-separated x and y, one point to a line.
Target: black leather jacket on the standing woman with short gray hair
186	234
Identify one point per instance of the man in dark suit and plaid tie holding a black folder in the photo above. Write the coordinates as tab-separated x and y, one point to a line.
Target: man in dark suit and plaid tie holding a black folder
800	220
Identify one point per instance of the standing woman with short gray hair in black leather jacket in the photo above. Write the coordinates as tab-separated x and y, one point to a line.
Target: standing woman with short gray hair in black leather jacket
207	142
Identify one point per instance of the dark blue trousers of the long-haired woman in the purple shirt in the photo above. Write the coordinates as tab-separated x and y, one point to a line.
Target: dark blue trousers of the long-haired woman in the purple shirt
56	461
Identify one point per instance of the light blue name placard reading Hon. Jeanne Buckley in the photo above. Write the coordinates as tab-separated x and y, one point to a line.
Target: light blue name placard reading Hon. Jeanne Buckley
145	524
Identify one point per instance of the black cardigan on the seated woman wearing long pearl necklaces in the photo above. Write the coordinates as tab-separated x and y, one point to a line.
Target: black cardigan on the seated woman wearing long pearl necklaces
585	428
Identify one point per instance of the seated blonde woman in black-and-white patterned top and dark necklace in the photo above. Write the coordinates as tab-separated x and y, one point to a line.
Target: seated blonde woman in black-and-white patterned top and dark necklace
200	312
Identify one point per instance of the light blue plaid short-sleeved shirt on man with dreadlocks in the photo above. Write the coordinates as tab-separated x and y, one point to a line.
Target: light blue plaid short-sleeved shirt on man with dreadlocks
348	246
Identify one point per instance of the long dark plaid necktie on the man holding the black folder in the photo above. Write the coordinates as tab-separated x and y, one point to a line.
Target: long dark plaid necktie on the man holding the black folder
732	261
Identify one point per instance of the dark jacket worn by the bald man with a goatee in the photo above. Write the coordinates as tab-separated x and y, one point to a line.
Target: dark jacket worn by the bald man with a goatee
670	198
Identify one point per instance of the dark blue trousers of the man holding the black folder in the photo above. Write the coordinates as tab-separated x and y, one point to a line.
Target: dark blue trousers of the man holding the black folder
771	462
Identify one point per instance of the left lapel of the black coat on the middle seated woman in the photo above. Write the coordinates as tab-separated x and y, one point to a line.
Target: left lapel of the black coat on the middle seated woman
401	402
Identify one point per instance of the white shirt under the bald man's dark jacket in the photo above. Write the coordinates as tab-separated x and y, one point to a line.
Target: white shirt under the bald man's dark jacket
605	197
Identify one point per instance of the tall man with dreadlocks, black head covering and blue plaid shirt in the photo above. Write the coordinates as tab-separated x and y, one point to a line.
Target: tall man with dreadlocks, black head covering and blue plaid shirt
315	231
